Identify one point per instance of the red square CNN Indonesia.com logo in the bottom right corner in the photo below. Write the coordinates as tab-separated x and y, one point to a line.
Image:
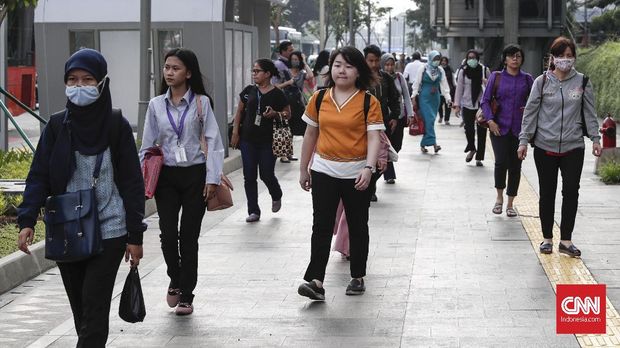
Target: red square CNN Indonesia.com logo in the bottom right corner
581	309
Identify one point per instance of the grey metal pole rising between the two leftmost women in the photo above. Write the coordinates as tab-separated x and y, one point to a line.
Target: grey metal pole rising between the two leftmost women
145	64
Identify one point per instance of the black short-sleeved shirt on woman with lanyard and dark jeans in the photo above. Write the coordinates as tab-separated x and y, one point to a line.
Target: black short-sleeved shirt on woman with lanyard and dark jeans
250	97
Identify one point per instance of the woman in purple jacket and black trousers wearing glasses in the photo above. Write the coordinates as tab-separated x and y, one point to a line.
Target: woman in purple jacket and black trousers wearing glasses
513	89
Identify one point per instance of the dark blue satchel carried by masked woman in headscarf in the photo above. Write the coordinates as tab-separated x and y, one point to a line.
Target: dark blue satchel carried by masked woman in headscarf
72	230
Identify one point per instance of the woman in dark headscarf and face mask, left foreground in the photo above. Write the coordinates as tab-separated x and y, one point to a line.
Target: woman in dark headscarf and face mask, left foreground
88	132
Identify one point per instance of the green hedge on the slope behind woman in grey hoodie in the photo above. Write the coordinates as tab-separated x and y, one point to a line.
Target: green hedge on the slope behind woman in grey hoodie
601	65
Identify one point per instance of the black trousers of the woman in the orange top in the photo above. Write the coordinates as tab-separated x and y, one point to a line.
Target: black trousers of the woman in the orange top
326	194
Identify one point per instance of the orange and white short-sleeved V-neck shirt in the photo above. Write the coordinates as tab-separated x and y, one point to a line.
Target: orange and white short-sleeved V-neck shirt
343	143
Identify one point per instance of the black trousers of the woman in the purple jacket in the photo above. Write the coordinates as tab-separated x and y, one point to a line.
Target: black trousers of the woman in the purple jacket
506	162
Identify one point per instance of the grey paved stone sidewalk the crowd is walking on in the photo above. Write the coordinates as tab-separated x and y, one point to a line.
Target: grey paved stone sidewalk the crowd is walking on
442	271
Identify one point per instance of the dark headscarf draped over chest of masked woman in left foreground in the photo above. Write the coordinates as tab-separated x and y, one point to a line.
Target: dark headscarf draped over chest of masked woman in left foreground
85	128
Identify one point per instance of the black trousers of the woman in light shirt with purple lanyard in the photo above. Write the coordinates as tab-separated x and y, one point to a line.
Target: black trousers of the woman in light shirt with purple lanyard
181	187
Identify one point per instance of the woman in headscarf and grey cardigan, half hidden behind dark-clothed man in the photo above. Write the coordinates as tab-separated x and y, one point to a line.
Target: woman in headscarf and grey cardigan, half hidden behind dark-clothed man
396	136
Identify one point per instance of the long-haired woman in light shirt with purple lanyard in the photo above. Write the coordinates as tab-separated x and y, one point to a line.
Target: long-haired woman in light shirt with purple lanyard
189	177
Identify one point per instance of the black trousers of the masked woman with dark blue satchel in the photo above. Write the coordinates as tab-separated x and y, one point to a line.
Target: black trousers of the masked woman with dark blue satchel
89	285
